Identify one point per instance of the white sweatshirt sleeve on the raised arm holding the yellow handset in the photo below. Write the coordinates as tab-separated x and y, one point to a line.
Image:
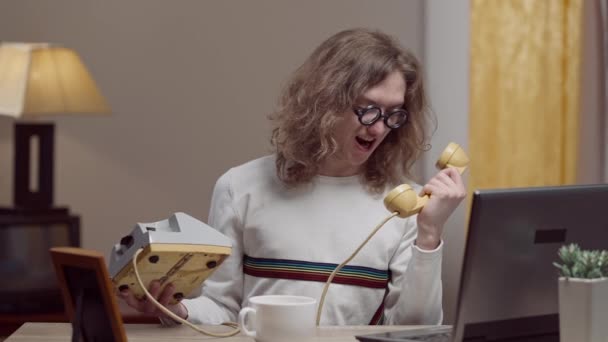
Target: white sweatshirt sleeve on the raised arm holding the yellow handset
415	291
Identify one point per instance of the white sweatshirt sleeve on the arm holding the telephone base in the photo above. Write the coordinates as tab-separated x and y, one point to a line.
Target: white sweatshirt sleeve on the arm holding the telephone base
222	292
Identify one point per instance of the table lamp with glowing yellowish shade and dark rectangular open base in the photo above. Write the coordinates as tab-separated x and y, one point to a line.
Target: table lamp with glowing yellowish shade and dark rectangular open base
38	80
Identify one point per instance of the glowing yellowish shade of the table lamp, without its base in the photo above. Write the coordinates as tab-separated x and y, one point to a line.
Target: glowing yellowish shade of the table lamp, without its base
42	79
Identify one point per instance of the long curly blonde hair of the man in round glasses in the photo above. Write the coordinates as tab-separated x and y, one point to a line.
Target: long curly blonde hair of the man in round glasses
327	85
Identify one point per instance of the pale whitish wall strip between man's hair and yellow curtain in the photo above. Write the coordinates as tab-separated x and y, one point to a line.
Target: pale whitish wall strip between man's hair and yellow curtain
446	50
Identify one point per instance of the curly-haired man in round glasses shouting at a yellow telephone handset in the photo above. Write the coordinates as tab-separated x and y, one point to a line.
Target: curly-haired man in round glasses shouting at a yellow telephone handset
350	124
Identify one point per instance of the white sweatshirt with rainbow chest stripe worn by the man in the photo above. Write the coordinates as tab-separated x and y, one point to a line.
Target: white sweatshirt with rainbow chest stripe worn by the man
287	241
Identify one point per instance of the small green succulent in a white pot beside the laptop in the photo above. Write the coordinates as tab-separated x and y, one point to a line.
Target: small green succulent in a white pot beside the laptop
583	294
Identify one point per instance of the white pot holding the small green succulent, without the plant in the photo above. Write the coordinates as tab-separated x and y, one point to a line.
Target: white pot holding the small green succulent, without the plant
583	310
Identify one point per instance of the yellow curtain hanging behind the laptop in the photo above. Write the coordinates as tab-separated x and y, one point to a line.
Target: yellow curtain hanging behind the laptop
525	74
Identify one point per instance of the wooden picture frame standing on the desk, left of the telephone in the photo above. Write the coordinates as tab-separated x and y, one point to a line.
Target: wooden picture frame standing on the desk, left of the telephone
88	295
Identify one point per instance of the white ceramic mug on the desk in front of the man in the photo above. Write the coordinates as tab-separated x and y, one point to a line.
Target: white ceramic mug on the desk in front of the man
279	318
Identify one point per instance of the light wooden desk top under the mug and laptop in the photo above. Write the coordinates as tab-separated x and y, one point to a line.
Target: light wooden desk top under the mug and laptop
156	333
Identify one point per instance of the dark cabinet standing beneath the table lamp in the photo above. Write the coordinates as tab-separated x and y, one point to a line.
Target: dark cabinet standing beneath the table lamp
29	290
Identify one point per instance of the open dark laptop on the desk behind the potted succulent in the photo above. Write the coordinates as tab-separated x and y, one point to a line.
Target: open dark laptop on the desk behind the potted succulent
508	287
